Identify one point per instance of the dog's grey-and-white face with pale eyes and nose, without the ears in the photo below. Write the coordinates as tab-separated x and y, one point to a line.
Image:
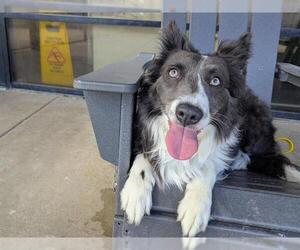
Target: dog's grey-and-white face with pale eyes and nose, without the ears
193	88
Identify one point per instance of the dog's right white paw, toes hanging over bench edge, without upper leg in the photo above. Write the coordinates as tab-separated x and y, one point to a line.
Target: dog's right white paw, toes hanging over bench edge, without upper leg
194	213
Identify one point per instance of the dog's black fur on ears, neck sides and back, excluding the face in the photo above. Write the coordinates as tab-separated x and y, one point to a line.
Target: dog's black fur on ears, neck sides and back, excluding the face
249	114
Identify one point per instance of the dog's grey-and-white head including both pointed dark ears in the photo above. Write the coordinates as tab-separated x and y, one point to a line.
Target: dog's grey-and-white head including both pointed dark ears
197	90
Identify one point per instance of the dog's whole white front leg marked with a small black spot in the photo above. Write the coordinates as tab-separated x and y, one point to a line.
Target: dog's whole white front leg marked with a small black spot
136	195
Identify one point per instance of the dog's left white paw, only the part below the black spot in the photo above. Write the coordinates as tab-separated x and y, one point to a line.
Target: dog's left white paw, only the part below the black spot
136	198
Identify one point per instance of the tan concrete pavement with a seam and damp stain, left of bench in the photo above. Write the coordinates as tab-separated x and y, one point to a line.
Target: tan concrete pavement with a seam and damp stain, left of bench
52	180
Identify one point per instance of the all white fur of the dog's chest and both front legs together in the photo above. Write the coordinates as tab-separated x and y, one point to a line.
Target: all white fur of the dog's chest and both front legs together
199	174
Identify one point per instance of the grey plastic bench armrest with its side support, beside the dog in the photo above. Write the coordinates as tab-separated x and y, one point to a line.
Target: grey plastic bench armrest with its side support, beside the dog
110	96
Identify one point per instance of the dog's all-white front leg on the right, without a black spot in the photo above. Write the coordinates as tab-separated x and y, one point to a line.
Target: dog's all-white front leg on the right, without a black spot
194	209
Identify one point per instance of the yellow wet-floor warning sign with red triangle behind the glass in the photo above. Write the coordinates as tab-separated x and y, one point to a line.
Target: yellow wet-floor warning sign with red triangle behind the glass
56	63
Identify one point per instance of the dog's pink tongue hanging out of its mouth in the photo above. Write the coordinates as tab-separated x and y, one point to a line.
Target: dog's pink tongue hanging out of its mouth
181	142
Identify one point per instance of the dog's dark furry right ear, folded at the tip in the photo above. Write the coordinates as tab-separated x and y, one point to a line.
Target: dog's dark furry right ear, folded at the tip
237	51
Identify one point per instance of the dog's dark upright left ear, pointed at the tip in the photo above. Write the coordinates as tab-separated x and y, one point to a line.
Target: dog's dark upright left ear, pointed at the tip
173	39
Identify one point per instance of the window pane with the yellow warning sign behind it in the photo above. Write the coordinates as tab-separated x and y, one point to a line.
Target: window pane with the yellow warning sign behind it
53	53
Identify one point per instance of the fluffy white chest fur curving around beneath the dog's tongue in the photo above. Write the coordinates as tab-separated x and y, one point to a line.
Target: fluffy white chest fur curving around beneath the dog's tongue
211	153
